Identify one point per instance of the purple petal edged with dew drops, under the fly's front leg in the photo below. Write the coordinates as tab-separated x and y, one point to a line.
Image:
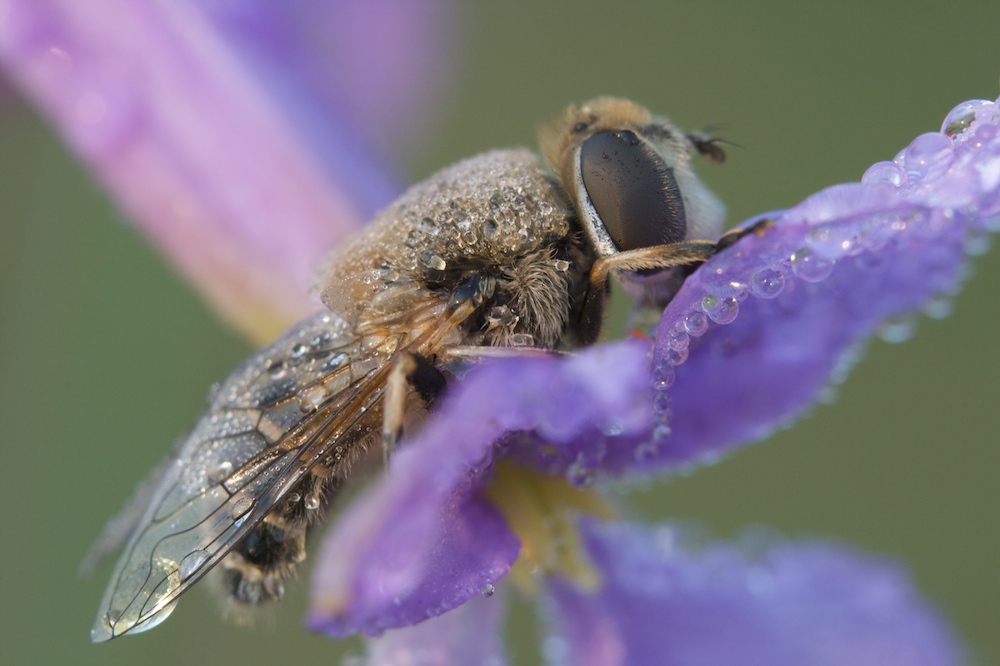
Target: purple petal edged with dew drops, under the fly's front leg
756	334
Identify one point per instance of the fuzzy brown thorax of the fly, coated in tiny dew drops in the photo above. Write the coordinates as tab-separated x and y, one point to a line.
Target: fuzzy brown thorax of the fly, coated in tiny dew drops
496	220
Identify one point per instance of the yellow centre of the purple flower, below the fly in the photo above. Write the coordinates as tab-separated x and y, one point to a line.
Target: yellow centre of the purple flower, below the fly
542	511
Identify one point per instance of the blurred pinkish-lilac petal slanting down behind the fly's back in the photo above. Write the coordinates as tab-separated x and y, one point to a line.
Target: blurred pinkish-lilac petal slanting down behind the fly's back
214	159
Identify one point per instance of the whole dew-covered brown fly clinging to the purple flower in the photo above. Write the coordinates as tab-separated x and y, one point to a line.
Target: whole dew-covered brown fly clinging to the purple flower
494	255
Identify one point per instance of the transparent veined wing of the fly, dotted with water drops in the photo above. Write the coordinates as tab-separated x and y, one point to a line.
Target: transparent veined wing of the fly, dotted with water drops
266	425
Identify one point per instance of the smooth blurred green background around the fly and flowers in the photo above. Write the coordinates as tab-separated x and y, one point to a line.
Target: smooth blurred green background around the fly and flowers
105	356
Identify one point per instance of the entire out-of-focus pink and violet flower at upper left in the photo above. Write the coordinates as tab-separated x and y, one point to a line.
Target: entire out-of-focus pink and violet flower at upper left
222	131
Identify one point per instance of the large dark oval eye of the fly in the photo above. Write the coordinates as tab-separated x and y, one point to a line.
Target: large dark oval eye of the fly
632	190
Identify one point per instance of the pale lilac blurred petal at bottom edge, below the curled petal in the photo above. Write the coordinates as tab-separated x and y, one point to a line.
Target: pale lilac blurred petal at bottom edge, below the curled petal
472	634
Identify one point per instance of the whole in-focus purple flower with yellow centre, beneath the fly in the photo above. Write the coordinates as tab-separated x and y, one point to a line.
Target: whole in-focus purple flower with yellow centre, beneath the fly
750	342
